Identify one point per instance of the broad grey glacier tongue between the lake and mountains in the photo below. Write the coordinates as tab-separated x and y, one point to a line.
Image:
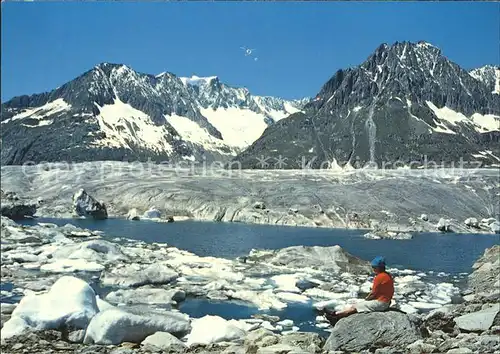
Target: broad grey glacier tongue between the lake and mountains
391	203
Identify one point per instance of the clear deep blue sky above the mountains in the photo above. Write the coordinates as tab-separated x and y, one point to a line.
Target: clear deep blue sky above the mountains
299	45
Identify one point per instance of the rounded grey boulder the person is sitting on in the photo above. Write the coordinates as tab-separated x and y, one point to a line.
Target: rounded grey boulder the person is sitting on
373	330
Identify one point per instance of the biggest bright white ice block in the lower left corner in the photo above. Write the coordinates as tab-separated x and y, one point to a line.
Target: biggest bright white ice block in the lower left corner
70	303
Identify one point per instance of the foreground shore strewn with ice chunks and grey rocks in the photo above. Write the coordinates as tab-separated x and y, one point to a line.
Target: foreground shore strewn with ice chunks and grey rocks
123	296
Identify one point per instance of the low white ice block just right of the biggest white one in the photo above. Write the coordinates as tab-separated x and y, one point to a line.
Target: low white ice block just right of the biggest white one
115	326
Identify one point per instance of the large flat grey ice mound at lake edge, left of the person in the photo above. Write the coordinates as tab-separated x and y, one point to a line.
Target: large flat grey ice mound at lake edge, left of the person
331	259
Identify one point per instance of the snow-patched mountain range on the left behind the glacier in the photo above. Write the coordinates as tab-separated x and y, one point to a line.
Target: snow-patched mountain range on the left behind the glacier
112	112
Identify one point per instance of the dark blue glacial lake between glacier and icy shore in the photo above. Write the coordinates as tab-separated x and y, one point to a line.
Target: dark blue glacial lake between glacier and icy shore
449	253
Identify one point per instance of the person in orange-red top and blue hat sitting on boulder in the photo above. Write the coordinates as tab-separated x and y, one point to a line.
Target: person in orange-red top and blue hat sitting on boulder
378	300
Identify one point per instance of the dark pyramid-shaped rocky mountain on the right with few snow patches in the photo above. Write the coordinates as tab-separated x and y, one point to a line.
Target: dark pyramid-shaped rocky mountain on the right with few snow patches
404	103
